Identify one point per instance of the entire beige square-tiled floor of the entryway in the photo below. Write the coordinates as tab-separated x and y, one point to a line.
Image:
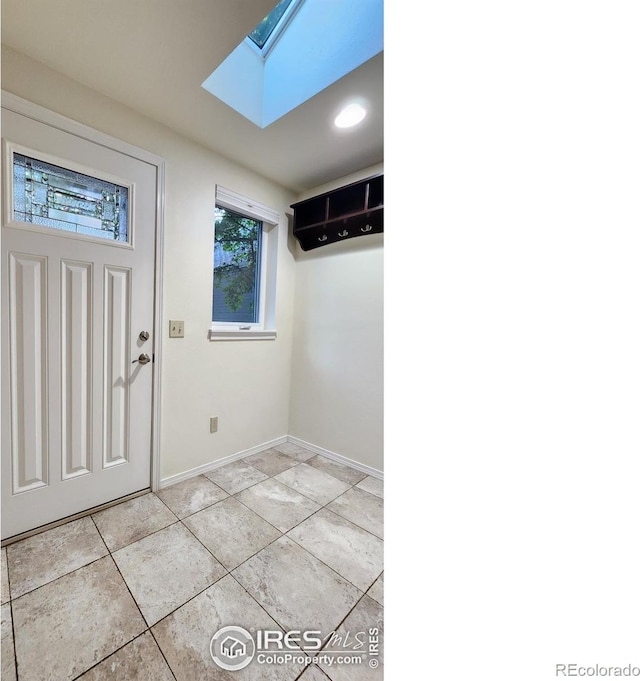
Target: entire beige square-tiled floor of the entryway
283	539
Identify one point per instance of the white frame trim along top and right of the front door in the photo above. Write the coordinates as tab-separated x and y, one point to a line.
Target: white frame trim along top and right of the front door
41	114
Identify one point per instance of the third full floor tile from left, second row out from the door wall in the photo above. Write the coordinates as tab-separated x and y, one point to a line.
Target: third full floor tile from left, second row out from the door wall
231	531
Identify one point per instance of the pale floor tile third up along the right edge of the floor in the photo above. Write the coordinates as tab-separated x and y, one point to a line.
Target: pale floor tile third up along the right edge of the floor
352	552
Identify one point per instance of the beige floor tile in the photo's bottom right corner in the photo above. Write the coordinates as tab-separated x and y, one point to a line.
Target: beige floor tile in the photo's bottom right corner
365	618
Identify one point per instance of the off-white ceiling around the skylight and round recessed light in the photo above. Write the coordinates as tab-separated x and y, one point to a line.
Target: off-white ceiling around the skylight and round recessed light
153	55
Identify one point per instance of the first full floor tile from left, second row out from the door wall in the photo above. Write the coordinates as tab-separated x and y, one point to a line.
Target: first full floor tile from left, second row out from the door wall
67	626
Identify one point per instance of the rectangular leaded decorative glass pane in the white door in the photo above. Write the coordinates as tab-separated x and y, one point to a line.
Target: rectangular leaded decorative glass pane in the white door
52	196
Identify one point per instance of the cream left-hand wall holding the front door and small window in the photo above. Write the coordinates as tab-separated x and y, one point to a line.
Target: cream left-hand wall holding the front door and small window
246	384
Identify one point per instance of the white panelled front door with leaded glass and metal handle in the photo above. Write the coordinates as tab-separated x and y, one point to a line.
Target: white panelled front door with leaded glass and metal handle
78	282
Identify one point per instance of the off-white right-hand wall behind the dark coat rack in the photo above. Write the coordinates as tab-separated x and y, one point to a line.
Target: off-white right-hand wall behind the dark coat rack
337	368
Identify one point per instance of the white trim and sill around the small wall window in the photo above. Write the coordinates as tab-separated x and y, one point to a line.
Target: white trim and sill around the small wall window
270	218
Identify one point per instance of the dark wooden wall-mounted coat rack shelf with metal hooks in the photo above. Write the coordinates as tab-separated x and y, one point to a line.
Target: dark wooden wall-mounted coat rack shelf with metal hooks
353	210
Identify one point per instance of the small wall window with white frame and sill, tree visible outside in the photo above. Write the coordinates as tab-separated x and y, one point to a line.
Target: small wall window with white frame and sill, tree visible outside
244	259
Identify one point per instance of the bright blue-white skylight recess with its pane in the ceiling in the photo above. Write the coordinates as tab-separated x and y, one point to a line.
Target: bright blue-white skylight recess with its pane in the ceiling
305	49
